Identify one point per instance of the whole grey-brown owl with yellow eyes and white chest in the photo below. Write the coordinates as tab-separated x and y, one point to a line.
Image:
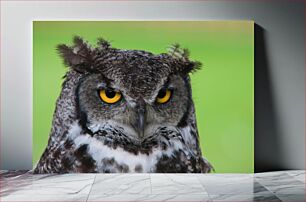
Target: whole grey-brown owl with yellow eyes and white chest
124	111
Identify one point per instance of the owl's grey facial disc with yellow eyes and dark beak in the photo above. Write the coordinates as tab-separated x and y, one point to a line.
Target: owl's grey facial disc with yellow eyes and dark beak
131	103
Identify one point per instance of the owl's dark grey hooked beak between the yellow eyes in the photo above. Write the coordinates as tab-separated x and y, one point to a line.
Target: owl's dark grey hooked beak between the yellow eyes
140	118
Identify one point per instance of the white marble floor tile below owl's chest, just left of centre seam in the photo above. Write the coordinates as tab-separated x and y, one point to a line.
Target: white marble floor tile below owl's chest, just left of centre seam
121	184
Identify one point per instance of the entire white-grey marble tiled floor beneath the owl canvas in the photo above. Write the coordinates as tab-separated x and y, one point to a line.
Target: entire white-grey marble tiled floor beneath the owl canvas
271	186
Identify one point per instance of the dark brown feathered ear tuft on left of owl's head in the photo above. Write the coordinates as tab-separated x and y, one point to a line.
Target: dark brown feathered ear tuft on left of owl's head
79	56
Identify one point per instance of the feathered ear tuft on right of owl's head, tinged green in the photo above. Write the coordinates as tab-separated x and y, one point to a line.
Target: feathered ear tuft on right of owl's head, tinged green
182	55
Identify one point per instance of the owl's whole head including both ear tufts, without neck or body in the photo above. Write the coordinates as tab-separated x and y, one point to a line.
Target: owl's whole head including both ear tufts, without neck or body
131	91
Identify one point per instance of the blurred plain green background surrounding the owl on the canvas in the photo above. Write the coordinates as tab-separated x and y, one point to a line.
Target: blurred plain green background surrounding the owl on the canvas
223	91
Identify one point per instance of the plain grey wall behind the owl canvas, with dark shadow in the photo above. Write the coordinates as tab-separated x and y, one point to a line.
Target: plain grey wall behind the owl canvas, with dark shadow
279	74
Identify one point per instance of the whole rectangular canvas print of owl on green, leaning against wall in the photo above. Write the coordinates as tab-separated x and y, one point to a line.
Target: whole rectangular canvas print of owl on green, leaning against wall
153	97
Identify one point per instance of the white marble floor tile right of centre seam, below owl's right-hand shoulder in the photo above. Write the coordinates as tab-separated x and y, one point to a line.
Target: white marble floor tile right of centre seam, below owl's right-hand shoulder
175	184
